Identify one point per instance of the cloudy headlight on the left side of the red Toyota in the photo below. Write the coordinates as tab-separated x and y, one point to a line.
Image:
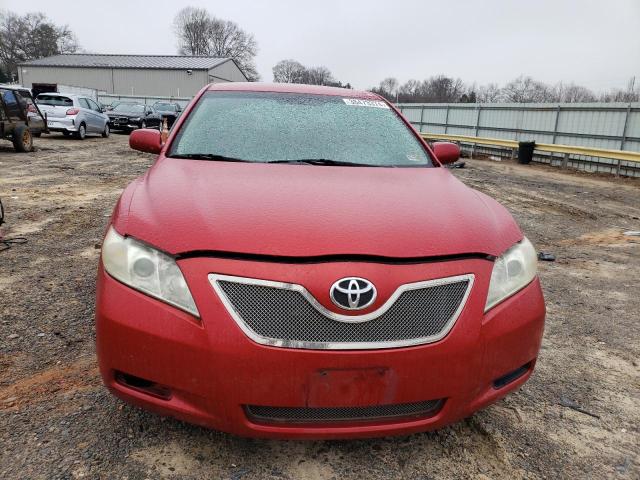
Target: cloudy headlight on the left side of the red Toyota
146	269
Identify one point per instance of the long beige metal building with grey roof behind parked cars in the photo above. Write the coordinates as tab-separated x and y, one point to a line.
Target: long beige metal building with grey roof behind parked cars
140	75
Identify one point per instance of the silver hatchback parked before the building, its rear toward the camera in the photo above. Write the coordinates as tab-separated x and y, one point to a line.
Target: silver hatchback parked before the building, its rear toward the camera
73	114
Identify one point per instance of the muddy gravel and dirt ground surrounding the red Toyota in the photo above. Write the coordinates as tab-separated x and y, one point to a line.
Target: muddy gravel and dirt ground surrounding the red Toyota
57	421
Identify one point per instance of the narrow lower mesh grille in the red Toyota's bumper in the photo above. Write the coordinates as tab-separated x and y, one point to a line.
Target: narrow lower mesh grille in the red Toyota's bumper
261	414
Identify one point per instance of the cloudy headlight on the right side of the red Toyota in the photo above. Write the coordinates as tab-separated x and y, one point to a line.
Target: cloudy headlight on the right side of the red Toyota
512	271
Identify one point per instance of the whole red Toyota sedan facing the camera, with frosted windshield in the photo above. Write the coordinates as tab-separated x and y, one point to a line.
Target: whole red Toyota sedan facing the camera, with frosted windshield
297	263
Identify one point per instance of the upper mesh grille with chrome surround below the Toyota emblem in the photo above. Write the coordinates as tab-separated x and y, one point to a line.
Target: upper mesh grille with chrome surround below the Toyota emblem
287	315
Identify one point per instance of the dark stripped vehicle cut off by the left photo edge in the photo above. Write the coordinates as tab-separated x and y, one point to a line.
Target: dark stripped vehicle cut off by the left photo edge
20	118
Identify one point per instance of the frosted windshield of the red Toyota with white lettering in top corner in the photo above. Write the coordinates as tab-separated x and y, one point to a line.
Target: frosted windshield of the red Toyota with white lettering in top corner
280	127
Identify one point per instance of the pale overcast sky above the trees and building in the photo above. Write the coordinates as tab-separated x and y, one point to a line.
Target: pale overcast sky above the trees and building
595	43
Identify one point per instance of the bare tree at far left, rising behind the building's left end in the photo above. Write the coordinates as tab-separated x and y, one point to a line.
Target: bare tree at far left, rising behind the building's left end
31	36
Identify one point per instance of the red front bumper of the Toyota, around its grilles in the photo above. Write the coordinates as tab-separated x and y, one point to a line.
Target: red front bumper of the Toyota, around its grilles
207	371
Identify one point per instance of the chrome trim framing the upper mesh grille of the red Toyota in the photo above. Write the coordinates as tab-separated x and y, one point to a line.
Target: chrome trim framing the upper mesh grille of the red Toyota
215	280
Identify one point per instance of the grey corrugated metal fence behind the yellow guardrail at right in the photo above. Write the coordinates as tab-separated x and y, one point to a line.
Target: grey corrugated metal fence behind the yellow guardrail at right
614	126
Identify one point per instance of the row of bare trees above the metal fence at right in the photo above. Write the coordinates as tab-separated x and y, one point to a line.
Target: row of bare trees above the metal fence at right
524	89
